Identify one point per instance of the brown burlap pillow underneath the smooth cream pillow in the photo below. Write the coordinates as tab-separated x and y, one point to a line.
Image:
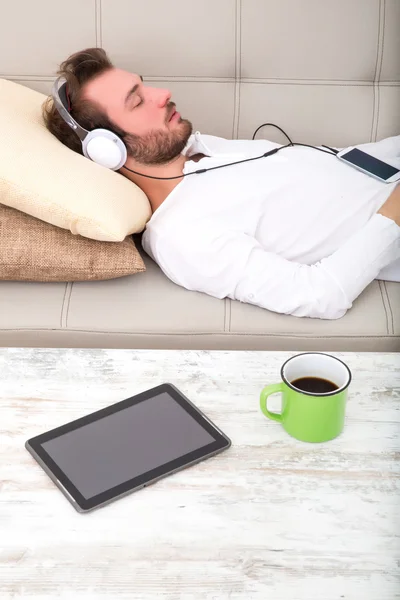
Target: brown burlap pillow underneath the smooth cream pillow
31	250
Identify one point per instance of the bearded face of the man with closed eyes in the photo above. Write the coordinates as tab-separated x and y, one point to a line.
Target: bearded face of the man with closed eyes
158	134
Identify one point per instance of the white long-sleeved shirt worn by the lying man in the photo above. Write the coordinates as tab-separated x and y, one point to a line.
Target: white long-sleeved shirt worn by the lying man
296	232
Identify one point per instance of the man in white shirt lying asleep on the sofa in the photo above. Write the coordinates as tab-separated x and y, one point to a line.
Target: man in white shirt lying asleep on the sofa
296	232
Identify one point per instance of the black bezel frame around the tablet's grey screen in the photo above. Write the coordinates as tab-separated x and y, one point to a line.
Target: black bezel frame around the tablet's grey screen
82	504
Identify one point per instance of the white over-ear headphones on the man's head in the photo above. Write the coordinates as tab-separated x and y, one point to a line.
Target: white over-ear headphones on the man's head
99	145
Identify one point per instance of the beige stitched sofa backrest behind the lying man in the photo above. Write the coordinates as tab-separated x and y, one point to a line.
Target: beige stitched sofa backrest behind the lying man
326	72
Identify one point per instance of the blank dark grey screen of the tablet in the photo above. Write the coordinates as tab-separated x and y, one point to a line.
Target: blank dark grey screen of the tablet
126	444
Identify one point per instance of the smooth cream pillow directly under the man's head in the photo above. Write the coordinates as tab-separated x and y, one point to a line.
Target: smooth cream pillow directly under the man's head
42	177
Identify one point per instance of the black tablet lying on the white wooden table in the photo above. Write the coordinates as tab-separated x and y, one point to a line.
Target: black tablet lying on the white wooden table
126	446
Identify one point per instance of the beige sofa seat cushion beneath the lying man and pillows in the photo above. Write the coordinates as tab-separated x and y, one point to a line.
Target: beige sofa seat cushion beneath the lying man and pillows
147	310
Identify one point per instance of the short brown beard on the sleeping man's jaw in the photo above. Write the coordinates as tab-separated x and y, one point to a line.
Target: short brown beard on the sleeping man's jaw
159	147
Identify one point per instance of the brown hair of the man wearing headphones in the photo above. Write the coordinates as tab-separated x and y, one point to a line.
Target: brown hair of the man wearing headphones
79	69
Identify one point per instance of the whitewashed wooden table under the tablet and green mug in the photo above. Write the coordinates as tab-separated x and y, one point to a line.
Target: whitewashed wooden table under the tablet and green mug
270	519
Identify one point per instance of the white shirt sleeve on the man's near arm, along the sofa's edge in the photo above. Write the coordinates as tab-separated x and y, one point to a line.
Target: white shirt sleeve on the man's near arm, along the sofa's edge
236	266
